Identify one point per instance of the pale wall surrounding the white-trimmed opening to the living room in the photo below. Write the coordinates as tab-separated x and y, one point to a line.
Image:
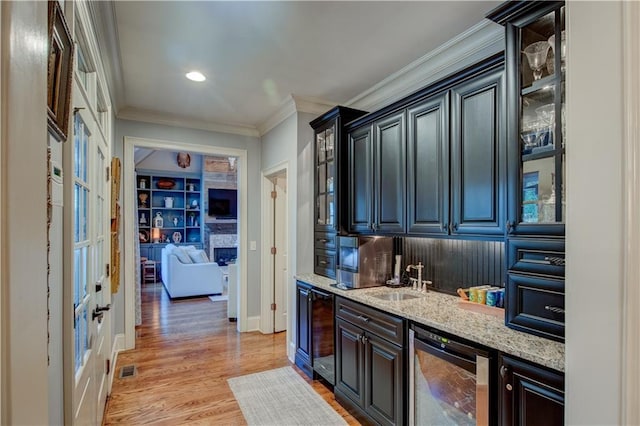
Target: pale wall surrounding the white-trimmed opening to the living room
205	138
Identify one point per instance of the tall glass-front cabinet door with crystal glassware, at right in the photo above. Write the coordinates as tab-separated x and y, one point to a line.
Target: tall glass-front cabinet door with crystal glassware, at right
537	47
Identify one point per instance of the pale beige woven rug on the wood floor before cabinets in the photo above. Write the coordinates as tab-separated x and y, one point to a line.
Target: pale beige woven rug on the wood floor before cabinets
281	397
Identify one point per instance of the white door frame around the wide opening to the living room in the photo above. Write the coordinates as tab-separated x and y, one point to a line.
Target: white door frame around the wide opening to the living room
128	226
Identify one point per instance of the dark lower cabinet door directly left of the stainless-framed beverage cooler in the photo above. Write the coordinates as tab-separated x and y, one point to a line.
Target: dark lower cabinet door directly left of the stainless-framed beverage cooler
384	381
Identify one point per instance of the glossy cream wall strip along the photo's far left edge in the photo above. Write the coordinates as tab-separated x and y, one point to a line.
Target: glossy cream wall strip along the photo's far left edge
24	176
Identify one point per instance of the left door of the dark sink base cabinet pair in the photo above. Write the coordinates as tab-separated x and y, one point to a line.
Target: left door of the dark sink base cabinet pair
350	361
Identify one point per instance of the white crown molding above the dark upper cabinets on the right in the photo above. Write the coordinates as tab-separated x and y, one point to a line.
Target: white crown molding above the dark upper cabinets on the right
478	42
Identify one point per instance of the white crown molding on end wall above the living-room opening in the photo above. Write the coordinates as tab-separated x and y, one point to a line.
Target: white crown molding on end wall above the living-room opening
146	116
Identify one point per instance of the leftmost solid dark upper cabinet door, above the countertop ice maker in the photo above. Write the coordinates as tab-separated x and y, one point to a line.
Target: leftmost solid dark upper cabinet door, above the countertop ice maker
360	180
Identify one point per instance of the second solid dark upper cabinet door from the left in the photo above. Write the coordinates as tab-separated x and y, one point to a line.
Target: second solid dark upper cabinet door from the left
390	174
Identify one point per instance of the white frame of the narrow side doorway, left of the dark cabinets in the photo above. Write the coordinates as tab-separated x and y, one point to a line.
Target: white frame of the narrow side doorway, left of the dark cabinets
266	289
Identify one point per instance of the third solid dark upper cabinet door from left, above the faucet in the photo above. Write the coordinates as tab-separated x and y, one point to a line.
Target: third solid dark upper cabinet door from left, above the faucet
428	166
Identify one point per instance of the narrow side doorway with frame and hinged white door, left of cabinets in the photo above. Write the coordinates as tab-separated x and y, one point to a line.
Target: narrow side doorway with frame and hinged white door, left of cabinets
275	251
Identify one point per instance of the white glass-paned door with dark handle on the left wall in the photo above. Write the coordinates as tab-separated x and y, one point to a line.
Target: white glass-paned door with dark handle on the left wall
91	295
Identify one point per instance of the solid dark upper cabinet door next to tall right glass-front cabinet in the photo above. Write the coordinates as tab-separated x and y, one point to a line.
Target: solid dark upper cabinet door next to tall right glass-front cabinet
478	156
